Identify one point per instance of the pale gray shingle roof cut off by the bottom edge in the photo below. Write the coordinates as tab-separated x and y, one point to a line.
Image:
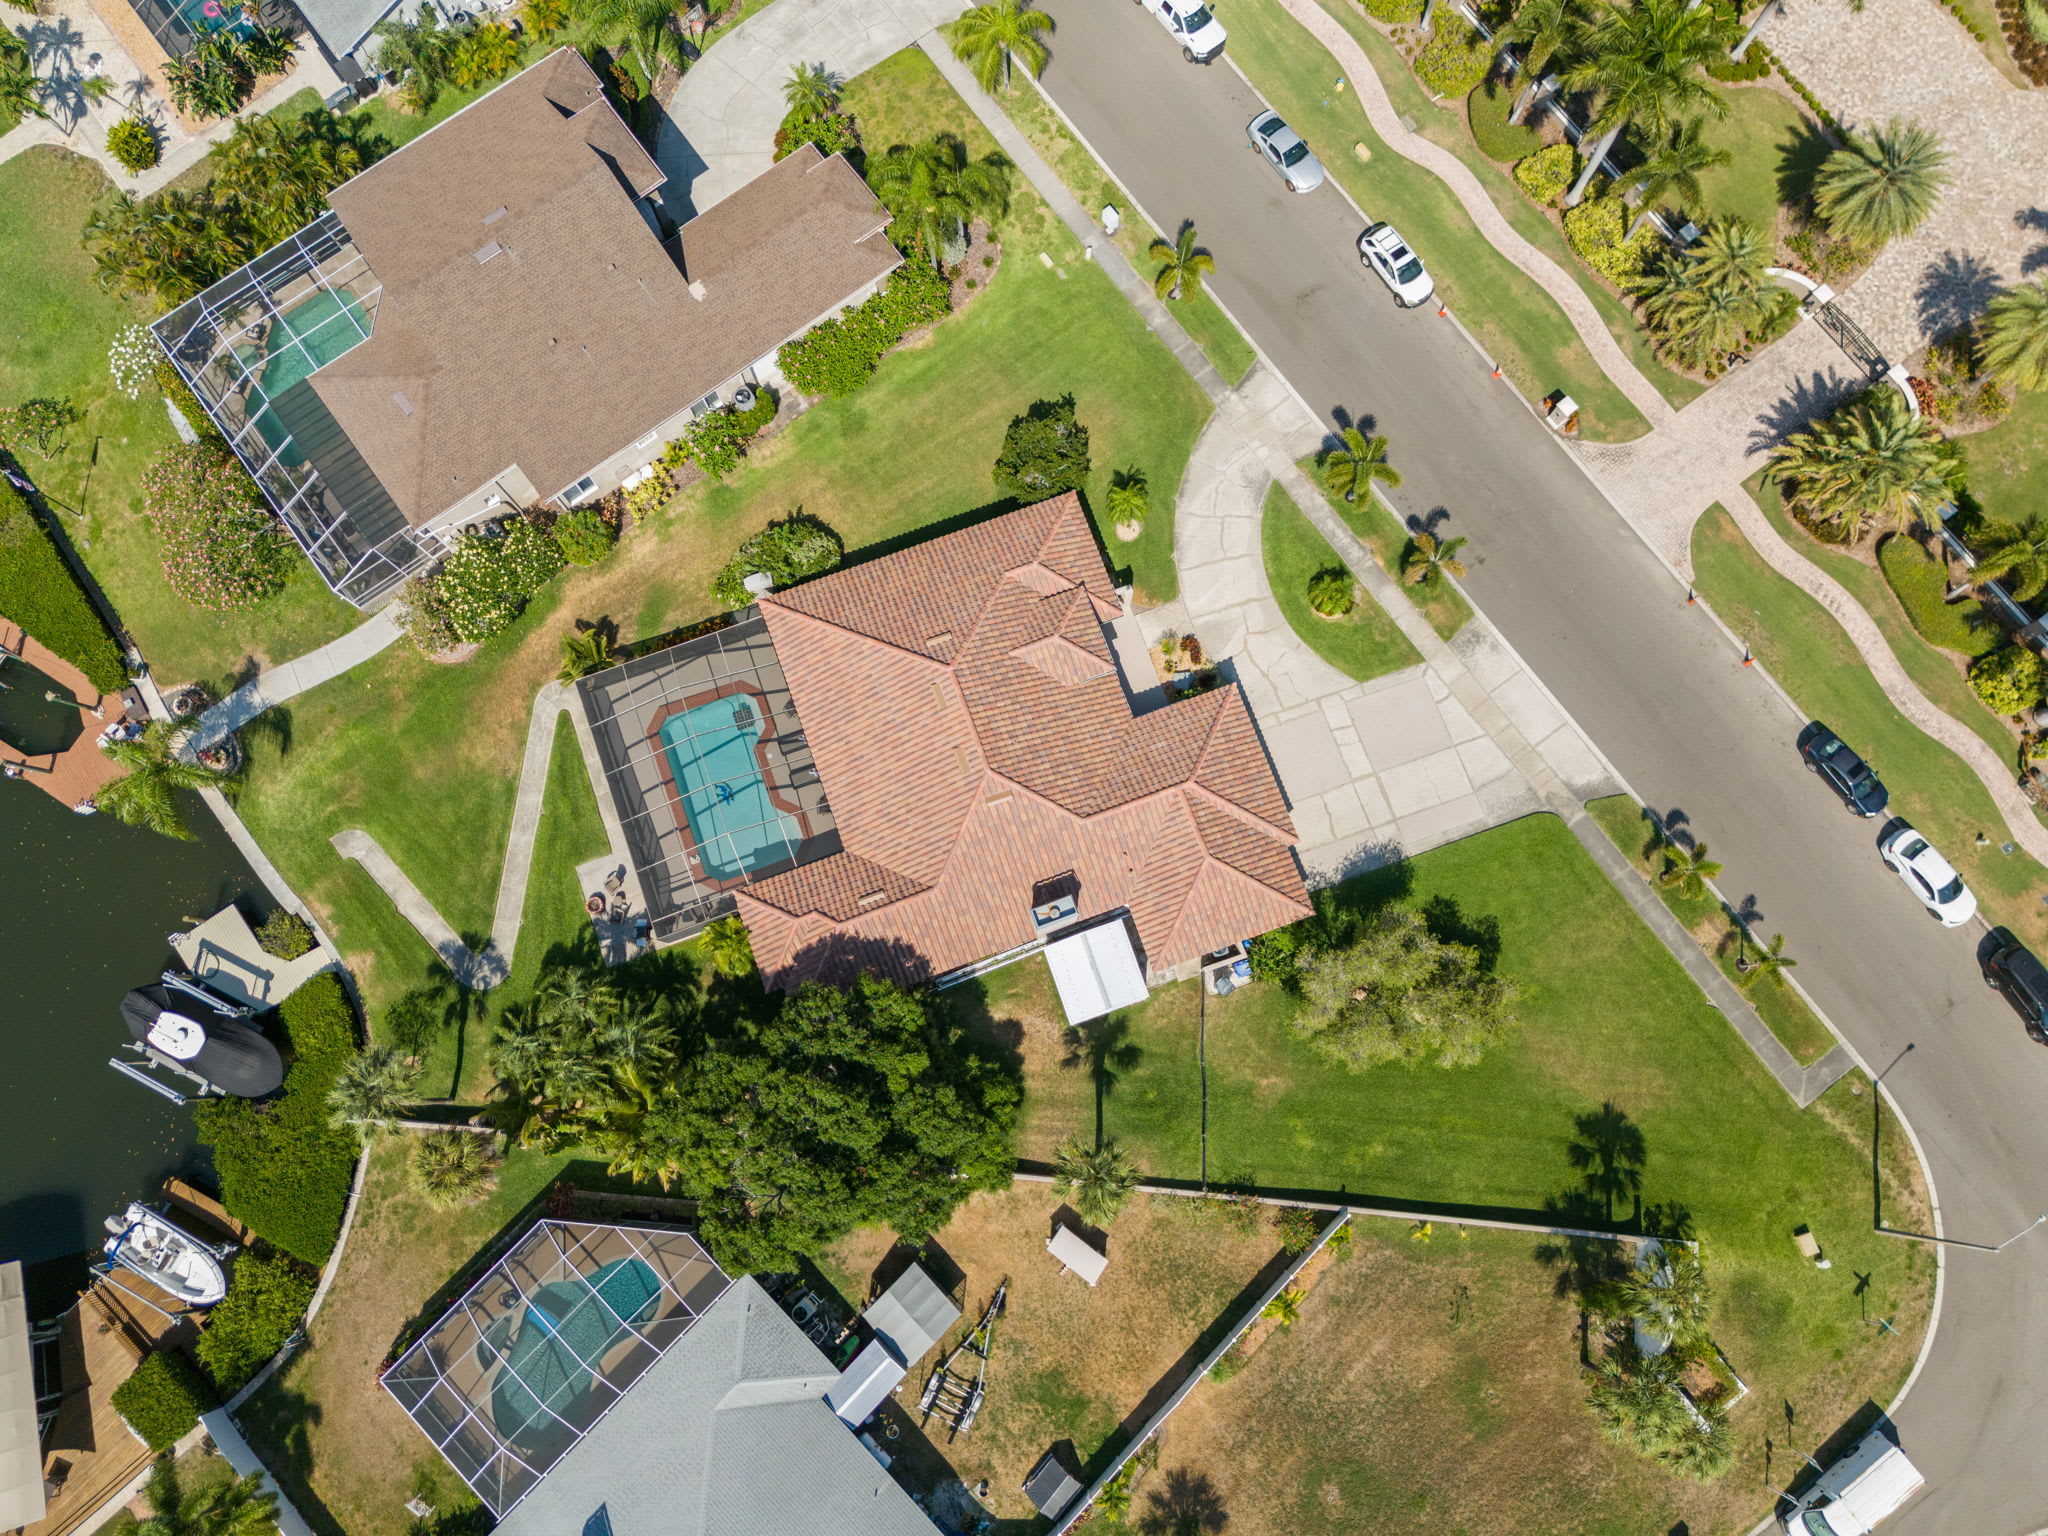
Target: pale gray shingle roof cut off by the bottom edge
728	1435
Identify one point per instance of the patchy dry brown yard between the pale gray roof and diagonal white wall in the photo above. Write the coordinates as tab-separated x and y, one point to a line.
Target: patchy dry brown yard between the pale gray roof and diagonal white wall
1070	1363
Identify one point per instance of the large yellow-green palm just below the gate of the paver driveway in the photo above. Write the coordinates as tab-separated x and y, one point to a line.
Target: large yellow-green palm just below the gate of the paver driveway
1869	466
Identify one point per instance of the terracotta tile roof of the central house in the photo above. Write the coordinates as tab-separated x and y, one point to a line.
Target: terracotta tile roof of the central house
974	736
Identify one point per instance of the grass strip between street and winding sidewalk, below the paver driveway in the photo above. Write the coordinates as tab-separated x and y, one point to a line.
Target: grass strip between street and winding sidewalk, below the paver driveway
1814	658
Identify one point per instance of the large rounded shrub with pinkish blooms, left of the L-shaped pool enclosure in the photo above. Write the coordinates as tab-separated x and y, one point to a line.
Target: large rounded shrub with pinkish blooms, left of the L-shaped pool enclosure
222	548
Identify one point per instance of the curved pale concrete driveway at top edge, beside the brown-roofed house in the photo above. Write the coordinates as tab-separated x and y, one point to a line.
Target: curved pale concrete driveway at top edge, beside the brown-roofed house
720	128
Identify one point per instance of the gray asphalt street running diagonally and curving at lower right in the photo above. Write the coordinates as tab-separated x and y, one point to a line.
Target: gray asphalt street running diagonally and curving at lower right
1656	685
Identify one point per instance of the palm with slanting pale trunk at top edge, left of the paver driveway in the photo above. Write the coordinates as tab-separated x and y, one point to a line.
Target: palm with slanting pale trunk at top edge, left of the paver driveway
1646	62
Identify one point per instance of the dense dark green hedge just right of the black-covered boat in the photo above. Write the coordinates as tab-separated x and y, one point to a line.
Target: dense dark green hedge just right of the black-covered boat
284	1166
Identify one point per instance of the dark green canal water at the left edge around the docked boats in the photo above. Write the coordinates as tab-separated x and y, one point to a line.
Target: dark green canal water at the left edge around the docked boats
85	912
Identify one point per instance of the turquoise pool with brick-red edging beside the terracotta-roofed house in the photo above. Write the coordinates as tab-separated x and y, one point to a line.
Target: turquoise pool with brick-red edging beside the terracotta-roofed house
736	826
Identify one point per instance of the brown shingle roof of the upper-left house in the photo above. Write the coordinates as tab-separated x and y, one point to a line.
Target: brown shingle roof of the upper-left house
577	333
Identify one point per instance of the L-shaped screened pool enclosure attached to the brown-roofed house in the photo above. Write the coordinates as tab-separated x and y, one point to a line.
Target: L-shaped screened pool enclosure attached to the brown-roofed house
249	347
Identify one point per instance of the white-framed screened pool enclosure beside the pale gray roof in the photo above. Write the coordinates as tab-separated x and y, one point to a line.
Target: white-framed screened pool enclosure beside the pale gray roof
538	1351
